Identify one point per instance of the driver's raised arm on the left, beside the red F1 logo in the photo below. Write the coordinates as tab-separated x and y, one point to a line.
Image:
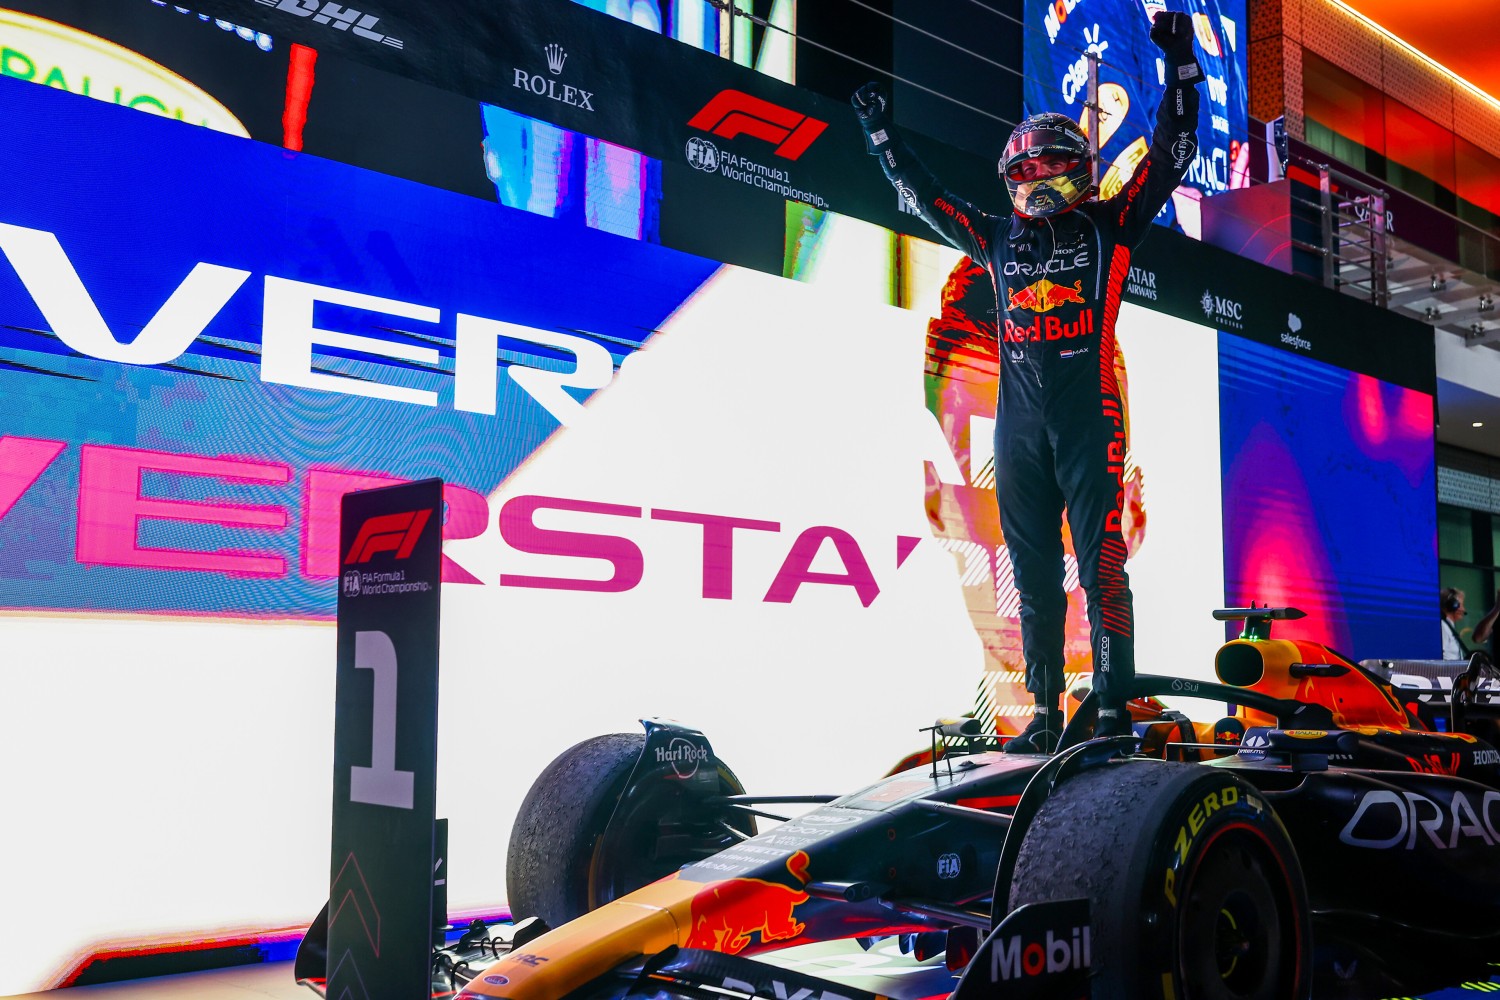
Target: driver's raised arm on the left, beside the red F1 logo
956	220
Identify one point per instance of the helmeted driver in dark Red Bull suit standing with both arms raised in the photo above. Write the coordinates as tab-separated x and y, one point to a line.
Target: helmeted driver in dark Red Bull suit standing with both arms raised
1058	265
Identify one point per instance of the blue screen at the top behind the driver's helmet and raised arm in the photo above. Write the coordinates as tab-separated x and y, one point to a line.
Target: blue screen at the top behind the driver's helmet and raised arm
1061	34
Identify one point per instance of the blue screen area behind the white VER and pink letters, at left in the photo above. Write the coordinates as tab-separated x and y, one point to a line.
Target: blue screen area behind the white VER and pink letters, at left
310	322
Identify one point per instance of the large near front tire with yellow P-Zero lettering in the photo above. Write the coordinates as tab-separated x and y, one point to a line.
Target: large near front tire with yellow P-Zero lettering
1195	890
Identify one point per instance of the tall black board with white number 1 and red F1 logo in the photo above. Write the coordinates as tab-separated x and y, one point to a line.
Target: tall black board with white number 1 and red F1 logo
386	743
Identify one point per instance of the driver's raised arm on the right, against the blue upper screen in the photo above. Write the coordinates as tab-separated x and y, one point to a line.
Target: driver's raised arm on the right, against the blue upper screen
1174	145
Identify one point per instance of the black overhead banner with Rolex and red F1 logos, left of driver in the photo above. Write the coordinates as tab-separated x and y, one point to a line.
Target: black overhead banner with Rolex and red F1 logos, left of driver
607	79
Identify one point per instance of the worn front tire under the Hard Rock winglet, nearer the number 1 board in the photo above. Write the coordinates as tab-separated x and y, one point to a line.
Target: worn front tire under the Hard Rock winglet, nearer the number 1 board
581	842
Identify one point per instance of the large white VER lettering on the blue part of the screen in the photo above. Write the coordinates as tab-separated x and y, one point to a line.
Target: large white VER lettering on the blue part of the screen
290	340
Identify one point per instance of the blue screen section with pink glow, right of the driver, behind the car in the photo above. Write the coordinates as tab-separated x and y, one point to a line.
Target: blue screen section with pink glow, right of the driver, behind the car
1330	484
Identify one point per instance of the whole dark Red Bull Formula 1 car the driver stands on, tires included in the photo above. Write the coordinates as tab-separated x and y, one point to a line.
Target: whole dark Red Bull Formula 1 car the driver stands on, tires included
1316	833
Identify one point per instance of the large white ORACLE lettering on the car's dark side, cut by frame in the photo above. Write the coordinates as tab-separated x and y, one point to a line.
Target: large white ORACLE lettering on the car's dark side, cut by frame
1388	819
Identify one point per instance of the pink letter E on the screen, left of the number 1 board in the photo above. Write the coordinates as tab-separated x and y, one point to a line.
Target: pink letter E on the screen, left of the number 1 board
112	510
